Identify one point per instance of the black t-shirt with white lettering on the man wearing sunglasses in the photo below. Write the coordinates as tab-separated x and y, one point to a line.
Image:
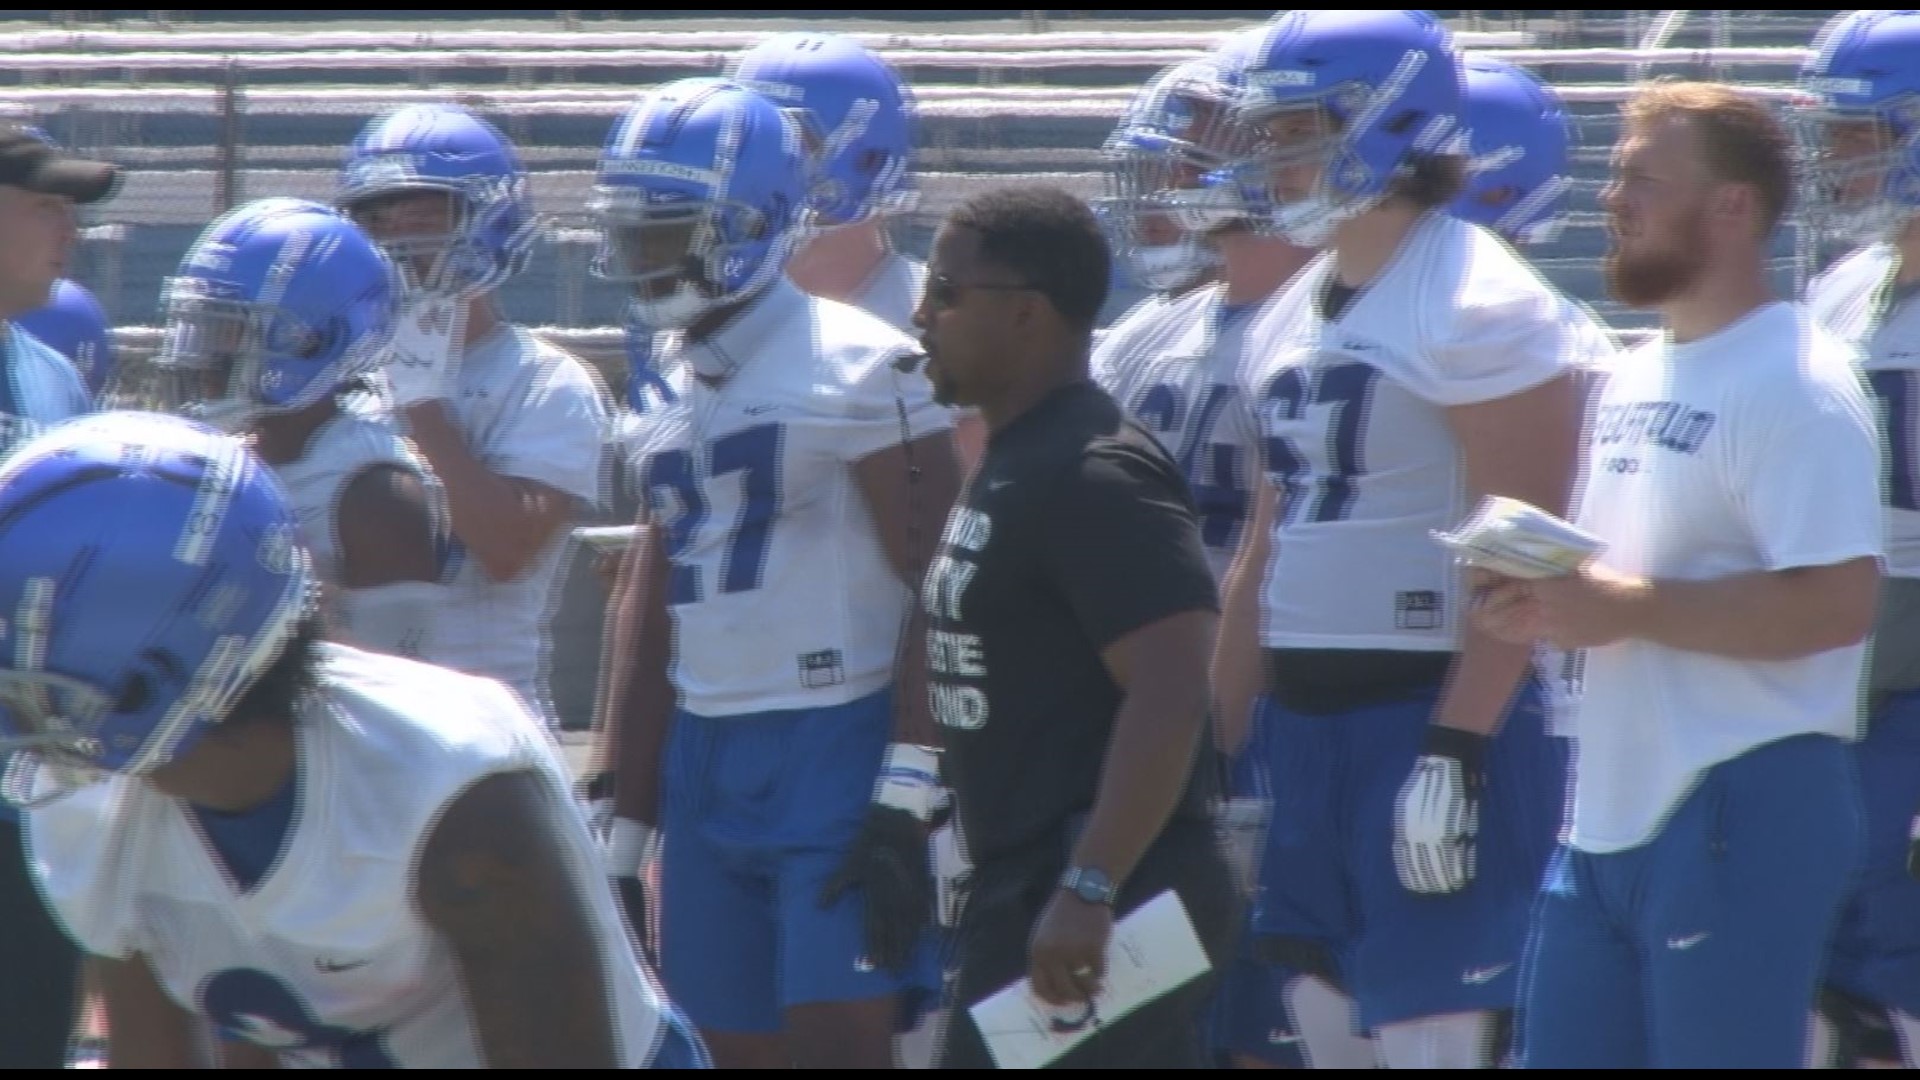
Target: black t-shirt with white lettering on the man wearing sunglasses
1076	531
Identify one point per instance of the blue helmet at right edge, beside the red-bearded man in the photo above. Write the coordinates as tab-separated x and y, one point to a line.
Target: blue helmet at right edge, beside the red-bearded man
1861	135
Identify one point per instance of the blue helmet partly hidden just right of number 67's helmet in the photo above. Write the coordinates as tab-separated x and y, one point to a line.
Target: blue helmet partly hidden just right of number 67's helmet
1522	141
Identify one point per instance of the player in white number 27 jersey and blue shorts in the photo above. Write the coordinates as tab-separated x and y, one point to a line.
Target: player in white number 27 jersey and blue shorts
771	718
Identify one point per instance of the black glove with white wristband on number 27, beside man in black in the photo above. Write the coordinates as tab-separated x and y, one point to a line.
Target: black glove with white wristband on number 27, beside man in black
890	862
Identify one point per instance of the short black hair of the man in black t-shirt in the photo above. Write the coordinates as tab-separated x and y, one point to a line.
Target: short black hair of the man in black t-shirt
1051	239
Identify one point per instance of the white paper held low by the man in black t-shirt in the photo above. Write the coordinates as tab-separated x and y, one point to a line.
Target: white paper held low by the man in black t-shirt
1151	954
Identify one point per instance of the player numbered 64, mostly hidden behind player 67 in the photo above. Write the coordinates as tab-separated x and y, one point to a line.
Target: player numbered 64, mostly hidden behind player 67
1172	362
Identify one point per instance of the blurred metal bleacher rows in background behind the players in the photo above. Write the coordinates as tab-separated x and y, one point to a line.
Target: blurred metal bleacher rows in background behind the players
210	109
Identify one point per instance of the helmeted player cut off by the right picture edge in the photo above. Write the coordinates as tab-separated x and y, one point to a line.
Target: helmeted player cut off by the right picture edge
1863	137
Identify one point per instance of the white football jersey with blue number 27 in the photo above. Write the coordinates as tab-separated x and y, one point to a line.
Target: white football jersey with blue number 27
780	591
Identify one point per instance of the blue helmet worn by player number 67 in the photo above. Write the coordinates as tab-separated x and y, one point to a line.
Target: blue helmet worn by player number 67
1374	93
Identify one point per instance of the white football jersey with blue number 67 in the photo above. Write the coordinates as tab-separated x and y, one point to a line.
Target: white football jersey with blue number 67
1356	435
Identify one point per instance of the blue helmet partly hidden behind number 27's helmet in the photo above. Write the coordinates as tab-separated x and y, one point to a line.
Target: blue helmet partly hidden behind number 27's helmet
855	114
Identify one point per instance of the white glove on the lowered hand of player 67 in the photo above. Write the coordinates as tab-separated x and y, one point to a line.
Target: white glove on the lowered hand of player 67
1439	814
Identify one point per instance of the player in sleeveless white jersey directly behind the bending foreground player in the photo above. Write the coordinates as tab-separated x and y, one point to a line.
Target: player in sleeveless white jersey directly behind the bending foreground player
277	316
